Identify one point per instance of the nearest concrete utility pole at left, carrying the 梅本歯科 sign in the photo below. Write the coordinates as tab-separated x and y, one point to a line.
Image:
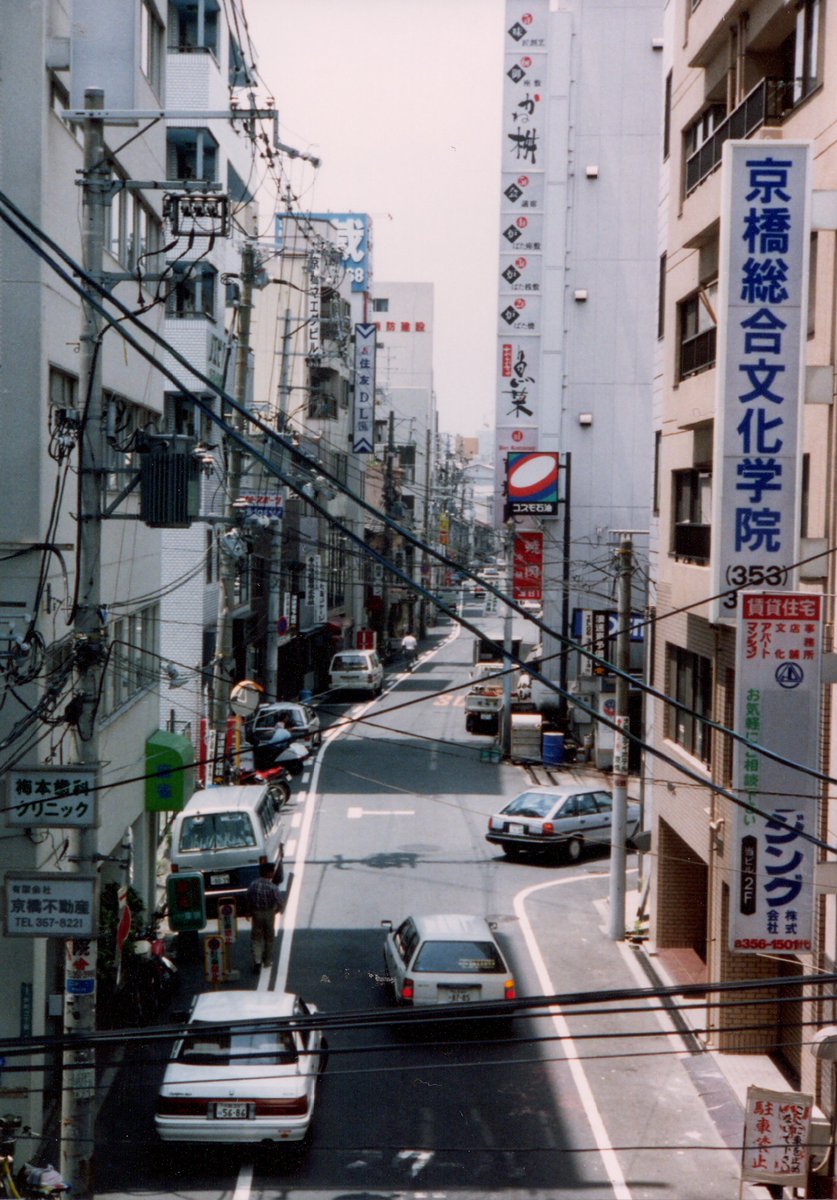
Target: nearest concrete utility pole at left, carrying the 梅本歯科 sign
79	1099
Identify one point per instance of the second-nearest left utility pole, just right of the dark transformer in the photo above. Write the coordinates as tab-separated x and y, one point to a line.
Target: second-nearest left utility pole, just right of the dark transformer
222	665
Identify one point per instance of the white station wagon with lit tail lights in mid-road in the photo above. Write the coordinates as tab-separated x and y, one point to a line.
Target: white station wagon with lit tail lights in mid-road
445	959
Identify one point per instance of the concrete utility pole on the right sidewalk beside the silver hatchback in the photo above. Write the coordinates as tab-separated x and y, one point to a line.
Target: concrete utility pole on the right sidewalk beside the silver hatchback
621	748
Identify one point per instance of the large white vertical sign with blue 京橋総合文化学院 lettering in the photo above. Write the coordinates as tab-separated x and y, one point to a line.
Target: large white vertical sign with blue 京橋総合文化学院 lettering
761	374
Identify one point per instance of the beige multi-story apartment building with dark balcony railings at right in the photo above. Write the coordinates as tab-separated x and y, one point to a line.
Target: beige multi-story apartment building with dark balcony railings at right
763	74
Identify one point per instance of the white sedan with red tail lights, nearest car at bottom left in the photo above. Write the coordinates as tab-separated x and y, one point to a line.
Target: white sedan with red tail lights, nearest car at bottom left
234	1079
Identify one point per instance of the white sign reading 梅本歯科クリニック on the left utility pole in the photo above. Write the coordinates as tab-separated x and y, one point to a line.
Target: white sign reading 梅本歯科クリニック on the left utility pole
52	796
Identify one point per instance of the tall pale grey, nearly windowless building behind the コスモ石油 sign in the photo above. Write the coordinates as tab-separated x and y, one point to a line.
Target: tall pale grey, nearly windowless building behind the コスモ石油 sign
577	296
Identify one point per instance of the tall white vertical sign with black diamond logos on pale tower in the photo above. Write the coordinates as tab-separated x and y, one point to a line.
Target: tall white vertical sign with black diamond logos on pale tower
522	202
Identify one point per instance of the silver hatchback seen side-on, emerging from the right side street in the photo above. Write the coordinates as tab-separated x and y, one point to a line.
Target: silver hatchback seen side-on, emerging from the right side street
557	820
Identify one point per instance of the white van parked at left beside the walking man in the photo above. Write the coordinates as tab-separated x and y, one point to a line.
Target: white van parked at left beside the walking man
226	833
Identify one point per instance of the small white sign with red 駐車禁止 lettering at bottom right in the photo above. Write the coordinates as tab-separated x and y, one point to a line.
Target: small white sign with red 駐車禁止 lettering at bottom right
776	1131
